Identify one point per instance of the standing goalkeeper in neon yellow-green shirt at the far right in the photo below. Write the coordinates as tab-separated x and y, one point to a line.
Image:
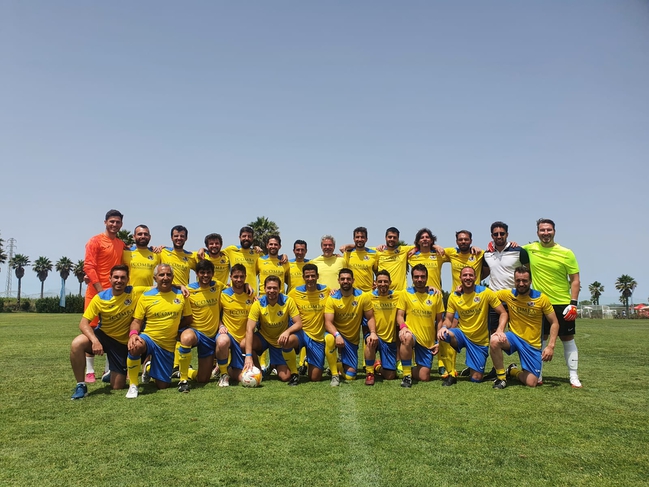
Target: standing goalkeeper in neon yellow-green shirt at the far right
555	272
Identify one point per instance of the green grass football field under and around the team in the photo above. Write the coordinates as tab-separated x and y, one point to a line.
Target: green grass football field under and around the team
315	435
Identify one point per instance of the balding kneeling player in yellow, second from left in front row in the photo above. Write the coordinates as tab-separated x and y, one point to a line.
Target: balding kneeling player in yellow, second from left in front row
165	309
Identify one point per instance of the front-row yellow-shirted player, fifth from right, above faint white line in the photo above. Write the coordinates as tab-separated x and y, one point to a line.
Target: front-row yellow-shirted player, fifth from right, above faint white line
344	313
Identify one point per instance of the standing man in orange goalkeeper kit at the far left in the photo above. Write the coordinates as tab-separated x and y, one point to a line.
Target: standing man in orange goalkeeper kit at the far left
103	252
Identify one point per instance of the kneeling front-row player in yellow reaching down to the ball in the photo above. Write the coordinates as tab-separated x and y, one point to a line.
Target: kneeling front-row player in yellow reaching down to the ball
278	319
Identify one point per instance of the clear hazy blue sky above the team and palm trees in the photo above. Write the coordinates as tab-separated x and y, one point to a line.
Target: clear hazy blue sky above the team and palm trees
324	116
